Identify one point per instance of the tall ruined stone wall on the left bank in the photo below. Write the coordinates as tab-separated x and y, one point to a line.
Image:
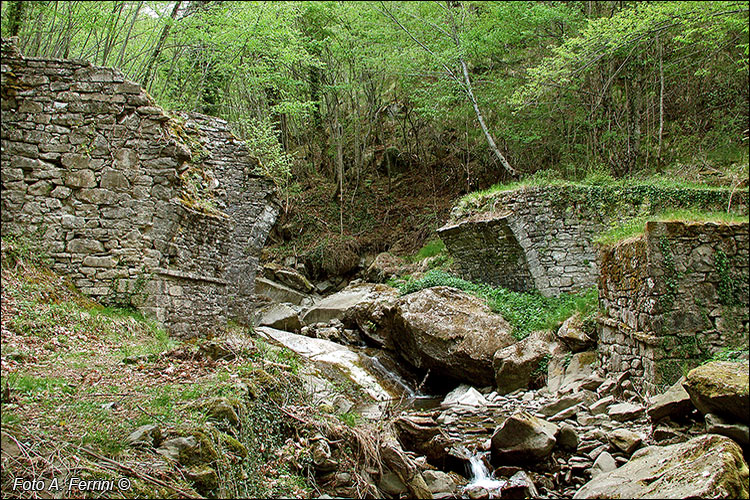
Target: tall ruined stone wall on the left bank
91	170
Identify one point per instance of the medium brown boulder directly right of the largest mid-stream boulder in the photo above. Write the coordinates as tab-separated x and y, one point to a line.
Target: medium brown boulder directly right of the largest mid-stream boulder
517	365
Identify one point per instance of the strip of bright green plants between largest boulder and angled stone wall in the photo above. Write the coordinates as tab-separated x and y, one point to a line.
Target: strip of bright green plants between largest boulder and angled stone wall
526	312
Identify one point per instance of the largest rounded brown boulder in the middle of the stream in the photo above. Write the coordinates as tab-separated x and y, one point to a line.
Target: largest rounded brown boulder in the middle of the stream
450	333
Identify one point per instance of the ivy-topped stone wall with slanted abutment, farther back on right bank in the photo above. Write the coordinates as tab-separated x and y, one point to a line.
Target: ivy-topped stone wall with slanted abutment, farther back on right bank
542	238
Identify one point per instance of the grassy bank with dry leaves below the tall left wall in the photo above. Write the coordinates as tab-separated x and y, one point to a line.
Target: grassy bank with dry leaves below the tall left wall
79	378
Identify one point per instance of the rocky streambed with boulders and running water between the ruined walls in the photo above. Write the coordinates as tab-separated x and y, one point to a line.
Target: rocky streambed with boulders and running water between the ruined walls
470	419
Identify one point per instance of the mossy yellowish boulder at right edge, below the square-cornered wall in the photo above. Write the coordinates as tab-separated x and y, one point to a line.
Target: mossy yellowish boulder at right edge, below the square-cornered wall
720	387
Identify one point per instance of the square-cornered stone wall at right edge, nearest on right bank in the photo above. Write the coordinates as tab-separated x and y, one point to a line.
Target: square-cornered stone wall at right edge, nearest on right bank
671	298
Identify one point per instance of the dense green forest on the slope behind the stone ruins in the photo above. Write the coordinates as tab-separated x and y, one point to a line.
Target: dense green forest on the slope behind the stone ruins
338	99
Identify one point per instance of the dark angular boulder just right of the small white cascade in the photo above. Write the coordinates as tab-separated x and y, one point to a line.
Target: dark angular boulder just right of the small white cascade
523	438
